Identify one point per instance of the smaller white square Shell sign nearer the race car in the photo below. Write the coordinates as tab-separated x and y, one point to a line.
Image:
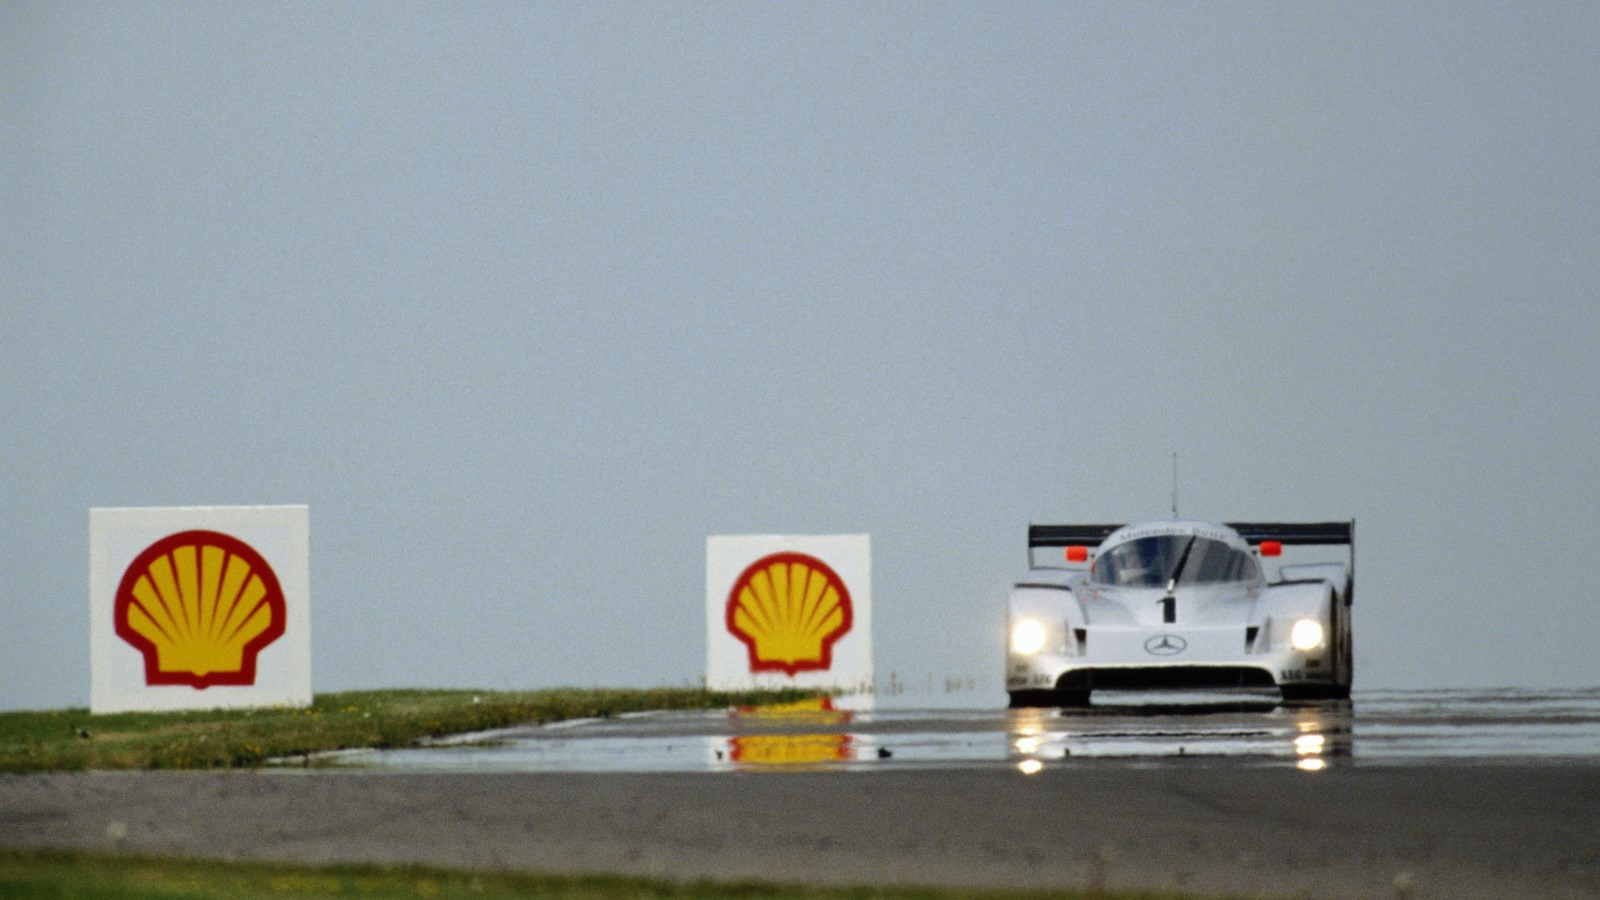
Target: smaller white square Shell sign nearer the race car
790	613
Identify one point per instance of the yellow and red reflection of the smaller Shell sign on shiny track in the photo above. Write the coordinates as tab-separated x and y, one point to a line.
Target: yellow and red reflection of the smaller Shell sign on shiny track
802	739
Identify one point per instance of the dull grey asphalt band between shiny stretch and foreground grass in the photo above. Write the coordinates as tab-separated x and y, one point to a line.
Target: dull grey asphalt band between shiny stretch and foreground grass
1452	830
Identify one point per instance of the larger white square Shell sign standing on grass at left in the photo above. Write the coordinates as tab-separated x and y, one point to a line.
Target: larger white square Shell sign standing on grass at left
199	608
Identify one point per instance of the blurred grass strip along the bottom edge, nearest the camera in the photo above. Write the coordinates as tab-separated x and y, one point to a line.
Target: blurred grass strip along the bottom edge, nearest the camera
143	878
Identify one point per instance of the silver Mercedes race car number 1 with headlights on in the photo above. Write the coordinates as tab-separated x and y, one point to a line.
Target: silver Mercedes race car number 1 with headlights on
1180	605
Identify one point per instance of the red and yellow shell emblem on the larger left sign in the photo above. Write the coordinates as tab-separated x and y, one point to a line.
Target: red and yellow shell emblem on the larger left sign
201	606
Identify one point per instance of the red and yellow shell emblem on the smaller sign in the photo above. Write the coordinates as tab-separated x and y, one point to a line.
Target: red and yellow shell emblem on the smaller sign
790	609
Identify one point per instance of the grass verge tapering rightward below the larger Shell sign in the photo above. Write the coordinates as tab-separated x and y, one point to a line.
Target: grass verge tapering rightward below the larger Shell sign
242	739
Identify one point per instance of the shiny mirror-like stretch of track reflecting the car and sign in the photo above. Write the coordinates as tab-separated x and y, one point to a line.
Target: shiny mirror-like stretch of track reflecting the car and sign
1382	726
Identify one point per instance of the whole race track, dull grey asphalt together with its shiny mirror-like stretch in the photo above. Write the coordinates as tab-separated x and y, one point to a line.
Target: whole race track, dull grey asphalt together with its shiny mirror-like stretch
1399	795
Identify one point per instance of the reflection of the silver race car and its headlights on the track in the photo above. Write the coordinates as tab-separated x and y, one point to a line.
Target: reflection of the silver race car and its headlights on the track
1228	728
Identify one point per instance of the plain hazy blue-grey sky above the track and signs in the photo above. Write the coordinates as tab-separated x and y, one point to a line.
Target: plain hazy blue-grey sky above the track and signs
527	300
